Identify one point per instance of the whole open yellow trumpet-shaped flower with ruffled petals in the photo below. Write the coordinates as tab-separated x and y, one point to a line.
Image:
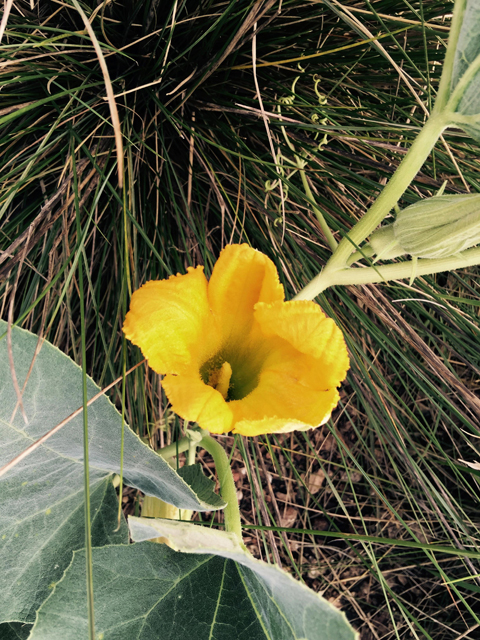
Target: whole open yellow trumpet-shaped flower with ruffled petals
235	355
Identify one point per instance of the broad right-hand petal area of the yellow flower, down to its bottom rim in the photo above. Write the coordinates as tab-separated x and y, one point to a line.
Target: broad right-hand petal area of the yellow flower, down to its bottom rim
306	362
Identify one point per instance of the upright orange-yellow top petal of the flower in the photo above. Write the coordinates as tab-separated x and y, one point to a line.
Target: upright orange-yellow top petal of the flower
241	277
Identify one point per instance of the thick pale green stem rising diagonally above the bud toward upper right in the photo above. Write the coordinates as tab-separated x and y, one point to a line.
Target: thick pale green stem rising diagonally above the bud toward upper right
401	179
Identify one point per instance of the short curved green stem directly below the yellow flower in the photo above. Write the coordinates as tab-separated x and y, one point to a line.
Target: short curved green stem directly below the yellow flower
227	485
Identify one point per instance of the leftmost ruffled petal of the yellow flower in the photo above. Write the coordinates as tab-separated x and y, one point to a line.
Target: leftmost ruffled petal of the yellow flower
170	321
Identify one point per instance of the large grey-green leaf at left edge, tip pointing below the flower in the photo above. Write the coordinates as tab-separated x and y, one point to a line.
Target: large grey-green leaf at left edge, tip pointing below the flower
41	499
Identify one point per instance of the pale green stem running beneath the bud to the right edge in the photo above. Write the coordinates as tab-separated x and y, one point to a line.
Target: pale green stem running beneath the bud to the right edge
371	275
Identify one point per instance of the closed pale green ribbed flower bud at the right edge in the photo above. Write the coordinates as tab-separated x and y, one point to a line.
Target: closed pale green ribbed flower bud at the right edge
436	227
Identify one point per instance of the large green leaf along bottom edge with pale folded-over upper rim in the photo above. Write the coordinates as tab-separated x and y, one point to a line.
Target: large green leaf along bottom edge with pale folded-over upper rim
149	591
